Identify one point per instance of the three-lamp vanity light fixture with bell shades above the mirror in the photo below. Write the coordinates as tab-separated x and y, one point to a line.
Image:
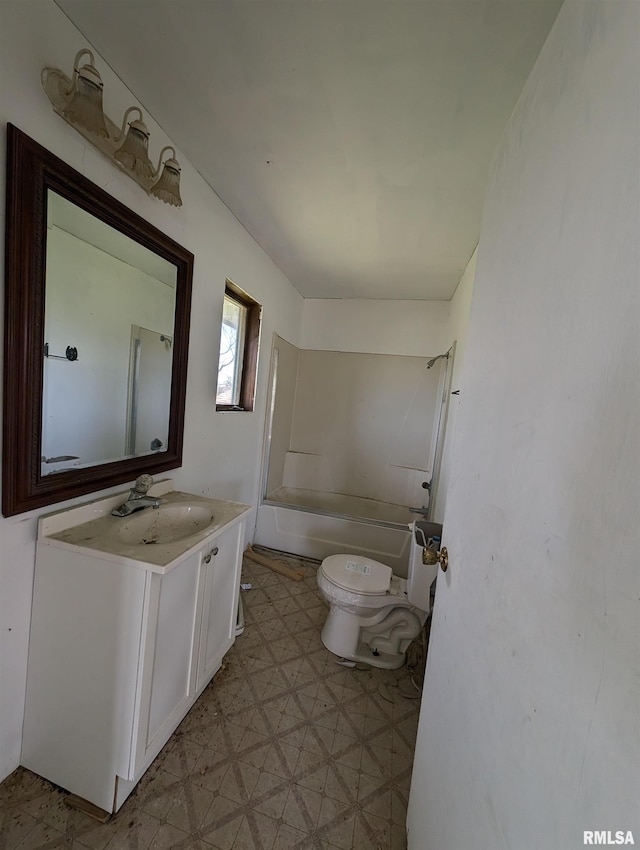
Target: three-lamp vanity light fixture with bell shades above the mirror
79	101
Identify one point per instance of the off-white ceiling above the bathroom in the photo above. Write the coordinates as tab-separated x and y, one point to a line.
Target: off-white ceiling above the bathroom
352	138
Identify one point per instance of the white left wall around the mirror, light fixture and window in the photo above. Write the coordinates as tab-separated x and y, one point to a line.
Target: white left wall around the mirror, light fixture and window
222	451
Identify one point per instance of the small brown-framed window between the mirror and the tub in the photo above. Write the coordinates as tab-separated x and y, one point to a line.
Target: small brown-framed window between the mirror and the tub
239	340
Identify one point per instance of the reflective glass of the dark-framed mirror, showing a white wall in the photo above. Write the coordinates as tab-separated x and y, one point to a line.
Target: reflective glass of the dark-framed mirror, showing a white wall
101	289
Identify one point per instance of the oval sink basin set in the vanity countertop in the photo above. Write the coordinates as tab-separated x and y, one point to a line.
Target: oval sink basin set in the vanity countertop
166	524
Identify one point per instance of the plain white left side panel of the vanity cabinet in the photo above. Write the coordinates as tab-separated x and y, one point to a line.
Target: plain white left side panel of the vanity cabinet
82	678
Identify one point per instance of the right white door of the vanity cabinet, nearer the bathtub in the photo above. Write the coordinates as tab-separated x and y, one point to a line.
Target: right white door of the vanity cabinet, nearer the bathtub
220	569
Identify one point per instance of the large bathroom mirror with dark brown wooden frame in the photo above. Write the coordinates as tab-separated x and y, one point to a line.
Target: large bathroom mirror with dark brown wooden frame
97	305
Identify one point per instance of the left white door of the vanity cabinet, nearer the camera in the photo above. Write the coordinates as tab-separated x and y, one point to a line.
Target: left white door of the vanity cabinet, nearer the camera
167	685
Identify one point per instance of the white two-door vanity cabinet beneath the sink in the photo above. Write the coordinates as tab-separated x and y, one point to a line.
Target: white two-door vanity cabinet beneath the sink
121	648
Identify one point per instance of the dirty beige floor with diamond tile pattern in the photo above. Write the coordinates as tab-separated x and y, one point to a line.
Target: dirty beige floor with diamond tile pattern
284	749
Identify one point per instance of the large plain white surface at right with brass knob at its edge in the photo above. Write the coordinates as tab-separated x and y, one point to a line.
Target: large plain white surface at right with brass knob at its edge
530	722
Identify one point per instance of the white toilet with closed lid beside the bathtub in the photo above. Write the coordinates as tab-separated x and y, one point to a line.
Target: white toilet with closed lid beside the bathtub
373	614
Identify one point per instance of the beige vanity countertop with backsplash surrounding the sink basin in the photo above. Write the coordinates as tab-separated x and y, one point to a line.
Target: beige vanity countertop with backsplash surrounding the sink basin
100	533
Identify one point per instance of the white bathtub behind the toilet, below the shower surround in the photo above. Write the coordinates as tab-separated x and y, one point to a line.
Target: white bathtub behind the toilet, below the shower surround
316	524
